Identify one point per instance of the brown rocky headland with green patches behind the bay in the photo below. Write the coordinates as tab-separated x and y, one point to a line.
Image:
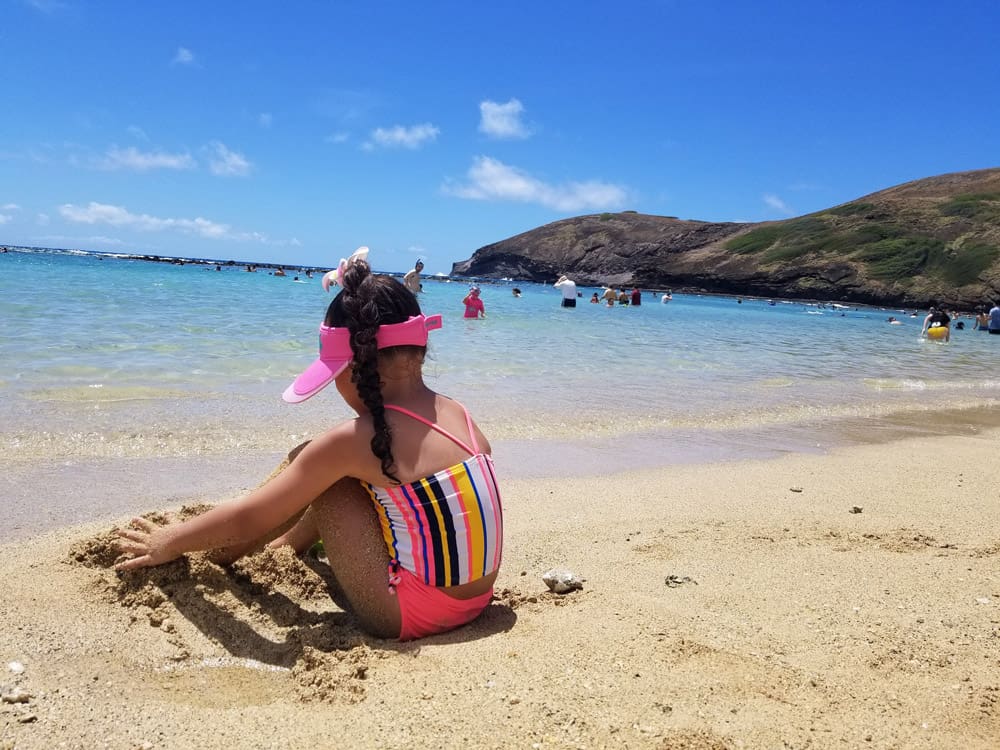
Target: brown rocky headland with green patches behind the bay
931	240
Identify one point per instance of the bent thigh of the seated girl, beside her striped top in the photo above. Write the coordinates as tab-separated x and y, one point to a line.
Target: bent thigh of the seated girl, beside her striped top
352	538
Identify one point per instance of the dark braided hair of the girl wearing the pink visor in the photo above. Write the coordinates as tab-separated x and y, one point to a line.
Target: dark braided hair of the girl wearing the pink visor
367	302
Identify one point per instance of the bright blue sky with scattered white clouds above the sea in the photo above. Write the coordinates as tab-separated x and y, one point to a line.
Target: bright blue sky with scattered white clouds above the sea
295	132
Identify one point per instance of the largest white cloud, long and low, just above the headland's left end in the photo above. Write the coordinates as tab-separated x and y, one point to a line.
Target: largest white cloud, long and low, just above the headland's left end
492	180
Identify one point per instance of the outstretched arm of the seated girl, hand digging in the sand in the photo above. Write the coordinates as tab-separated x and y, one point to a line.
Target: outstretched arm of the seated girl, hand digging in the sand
321	464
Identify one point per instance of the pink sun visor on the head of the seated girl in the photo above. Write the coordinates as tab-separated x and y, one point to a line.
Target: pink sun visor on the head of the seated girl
335	352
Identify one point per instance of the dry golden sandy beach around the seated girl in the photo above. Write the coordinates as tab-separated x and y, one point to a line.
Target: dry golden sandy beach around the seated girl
841	600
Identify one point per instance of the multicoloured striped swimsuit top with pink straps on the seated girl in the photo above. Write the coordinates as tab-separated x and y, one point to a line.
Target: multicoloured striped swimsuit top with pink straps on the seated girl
446	529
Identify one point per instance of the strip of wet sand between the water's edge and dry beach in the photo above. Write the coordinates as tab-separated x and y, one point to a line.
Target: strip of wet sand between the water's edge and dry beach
129	484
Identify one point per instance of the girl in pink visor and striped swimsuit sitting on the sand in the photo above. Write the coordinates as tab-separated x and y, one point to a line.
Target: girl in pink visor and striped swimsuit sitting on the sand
404	496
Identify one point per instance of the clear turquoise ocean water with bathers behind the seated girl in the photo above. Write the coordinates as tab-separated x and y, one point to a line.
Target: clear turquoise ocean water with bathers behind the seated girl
119	358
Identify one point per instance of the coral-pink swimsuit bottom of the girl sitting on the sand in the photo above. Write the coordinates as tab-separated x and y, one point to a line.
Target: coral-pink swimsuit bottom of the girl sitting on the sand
426	610
